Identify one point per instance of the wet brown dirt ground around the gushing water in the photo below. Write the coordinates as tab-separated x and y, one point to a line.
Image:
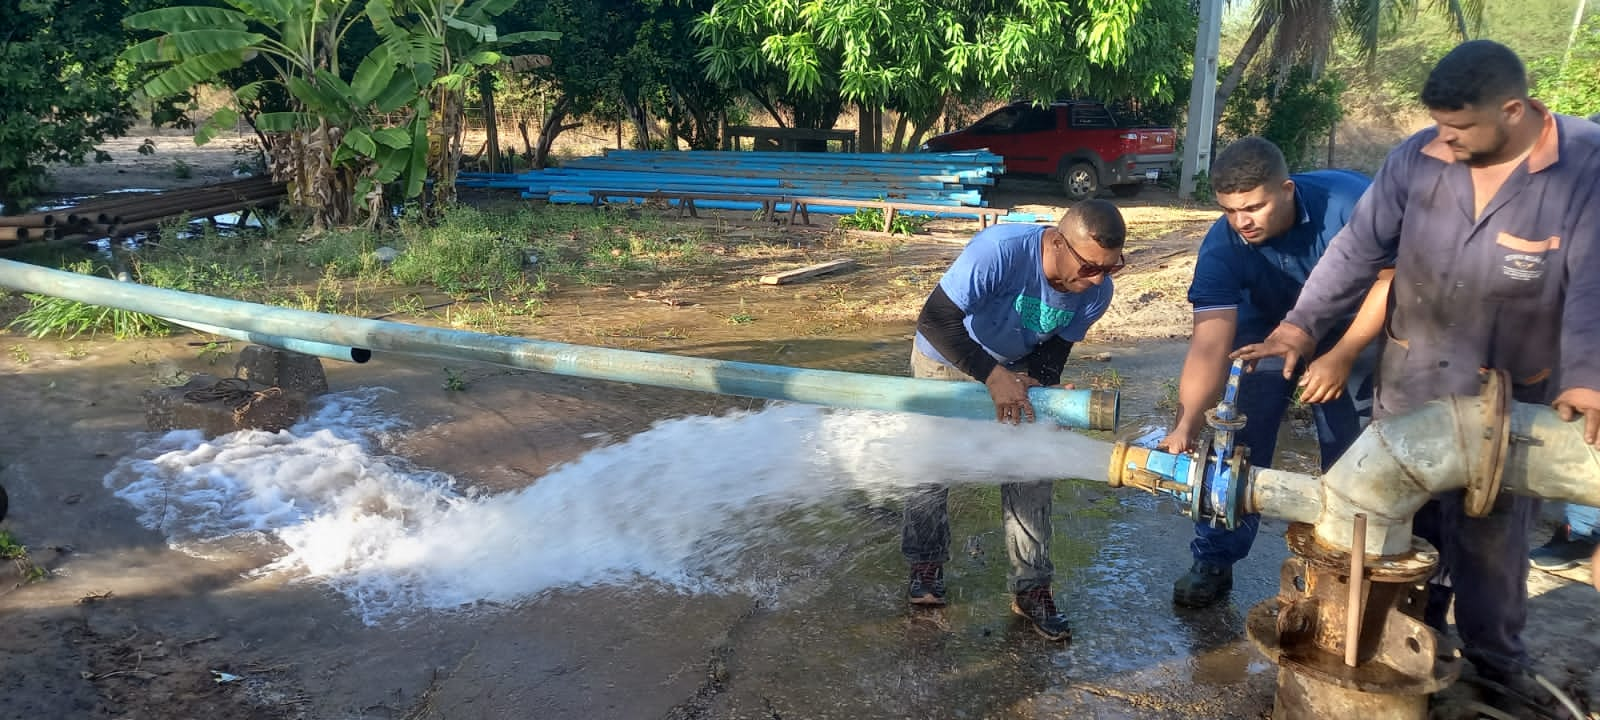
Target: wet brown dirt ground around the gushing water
127	628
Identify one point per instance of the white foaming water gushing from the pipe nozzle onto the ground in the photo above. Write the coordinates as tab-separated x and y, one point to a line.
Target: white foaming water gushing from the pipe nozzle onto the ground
676	503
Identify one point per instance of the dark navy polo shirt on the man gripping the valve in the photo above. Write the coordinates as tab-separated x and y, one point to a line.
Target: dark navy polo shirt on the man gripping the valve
1265	281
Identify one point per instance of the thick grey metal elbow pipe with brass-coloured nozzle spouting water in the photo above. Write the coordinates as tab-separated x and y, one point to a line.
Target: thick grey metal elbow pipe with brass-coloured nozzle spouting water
1484	444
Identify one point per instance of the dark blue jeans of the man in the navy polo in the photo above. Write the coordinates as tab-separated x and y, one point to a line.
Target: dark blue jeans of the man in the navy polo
1265	396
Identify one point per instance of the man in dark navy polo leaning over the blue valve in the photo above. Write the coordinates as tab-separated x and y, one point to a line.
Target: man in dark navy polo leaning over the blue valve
1249	274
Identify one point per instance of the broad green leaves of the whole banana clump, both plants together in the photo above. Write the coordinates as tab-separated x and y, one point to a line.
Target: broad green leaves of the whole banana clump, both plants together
342	148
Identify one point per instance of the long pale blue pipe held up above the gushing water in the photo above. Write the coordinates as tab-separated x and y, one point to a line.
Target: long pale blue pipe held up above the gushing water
1071	409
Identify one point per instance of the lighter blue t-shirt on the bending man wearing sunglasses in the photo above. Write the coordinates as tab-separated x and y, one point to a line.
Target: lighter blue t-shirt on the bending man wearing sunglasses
999	282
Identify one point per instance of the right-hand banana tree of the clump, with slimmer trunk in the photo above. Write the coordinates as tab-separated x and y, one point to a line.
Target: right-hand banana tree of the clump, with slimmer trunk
452	42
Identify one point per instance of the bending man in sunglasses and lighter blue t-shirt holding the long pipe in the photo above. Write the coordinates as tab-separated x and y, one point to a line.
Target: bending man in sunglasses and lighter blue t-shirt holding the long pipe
1007	314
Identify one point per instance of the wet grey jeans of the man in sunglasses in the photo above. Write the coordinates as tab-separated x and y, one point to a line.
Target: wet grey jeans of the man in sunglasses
1025	510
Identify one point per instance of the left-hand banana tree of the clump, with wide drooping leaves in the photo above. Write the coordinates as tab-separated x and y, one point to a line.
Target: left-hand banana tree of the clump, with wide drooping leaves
335	146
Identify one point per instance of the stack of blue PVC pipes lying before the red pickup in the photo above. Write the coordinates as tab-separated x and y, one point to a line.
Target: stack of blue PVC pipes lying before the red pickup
935	178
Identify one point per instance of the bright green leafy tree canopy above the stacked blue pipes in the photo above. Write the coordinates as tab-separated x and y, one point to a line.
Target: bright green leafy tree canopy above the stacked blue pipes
914	55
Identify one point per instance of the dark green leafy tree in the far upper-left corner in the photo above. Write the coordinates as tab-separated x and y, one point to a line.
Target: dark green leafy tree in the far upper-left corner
60	89
